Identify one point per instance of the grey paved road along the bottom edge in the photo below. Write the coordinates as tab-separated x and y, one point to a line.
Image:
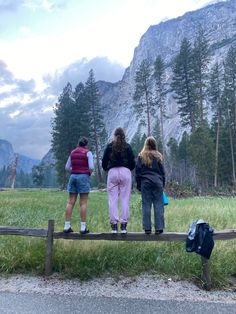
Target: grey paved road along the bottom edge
25	303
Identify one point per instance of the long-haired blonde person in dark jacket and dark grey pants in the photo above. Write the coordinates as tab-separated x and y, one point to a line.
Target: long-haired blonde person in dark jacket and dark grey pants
150	178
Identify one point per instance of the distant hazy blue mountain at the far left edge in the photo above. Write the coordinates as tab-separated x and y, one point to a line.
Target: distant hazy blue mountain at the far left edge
8	157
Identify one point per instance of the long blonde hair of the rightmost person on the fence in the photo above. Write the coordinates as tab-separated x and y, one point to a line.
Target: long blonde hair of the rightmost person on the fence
149	151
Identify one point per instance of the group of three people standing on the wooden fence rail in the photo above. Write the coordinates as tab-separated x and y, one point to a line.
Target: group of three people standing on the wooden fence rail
118	160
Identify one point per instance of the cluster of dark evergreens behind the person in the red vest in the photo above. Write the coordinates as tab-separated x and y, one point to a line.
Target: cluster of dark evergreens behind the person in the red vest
78	113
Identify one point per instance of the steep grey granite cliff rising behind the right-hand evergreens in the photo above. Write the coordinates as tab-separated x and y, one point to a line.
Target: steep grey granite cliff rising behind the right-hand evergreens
219	21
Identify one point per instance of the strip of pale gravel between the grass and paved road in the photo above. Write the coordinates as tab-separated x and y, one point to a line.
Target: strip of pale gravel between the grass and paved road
141	287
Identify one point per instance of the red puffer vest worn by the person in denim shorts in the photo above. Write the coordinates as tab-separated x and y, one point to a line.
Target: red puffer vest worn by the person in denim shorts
79	160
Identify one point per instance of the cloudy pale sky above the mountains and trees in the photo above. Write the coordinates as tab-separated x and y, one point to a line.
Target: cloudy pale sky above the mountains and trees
44	44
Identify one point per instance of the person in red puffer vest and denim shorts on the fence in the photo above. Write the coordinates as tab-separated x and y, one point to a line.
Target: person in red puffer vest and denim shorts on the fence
80	164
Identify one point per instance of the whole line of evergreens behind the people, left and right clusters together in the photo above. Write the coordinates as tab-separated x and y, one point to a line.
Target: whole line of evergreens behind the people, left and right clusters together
204	90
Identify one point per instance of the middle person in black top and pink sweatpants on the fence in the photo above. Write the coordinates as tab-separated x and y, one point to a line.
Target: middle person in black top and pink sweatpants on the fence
118	160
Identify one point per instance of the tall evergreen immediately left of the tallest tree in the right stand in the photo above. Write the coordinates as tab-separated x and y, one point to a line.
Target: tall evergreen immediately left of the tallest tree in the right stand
183	85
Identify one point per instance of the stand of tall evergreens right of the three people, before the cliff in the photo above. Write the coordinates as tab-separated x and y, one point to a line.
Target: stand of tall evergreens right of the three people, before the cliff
205	92
